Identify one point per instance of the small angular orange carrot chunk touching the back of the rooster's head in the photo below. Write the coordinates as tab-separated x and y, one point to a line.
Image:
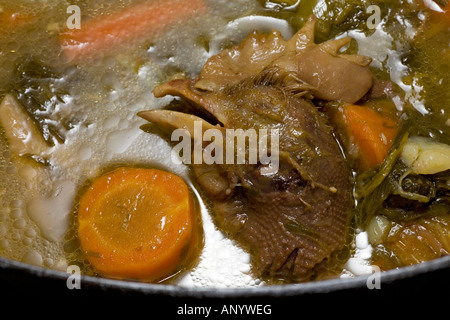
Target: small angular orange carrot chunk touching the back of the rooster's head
371	132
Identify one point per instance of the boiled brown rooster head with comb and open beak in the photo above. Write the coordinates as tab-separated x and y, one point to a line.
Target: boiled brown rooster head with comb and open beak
293	221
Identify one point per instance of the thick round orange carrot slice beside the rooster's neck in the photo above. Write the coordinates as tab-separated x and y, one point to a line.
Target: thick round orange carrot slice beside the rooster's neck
138	223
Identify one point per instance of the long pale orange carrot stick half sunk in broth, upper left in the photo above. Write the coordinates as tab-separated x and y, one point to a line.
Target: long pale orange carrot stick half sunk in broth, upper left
144	19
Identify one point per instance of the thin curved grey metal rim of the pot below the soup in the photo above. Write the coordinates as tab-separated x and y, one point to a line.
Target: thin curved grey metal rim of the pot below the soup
274	291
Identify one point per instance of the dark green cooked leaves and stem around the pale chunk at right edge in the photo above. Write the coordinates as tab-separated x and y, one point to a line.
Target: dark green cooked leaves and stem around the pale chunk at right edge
394	189
